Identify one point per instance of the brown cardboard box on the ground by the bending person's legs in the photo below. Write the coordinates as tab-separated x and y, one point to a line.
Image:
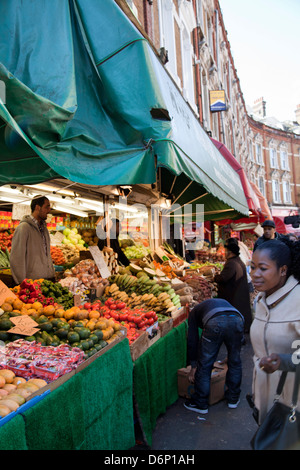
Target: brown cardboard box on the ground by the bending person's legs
217	384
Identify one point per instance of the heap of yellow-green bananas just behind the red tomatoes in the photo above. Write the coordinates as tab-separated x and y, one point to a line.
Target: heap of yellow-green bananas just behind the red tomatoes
141	291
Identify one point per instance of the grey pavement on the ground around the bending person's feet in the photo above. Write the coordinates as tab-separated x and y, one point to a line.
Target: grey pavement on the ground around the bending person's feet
221	429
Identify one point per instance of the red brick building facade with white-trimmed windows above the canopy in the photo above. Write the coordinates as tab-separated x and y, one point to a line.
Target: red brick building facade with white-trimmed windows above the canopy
191	40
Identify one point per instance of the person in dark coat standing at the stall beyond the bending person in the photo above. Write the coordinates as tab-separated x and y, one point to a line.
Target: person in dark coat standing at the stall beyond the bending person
233	282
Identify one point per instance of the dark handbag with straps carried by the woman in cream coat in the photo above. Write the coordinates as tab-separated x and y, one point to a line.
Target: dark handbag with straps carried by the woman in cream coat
281	428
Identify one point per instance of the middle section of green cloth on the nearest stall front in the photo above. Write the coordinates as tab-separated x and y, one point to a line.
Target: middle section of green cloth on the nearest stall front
57	421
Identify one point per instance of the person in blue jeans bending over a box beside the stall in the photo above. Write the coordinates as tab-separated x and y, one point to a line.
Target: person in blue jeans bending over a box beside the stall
221	323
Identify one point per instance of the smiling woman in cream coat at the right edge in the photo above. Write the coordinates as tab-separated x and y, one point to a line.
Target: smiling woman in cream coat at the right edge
275	273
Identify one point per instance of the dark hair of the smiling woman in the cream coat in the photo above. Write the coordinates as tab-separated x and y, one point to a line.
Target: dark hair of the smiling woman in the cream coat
284	252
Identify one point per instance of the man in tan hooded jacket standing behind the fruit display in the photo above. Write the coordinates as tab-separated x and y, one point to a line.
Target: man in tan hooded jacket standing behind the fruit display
30	256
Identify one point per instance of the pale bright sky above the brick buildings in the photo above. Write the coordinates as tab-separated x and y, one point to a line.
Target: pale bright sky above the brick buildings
264	37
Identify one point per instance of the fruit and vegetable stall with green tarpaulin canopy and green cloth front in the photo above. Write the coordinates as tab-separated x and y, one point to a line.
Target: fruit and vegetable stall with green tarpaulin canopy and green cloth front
87	136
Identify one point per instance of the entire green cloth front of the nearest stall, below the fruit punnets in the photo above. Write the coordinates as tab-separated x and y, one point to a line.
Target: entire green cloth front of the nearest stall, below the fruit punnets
93	410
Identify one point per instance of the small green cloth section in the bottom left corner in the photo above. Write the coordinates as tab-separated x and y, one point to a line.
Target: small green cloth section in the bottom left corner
12	434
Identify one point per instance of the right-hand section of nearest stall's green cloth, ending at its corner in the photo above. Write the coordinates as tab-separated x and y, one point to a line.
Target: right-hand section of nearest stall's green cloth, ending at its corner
107	400
